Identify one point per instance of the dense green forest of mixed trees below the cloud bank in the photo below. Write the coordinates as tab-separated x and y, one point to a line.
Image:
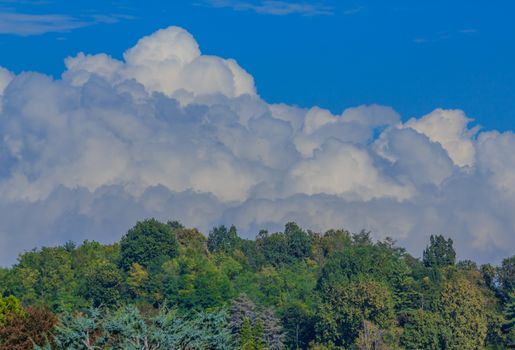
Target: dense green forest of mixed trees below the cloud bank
165	286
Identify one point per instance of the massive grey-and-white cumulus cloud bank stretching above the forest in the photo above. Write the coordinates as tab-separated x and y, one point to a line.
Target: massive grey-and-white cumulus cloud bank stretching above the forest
171	133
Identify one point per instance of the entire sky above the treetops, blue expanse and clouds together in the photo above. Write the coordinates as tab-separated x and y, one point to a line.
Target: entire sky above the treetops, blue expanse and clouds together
396	118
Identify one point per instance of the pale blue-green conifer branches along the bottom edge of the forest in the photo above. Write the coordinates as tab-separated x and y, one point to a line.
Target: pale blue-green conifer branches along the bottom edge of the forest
127	328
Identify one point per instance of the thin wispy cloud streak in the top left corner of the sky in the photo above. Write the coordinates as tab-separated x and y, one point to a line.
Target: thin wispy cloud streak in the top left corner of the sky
26	24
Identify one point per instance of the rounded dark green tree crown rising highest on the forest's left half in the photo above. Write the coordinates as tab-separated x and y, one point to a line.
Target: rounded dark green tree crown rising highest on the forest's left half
149	244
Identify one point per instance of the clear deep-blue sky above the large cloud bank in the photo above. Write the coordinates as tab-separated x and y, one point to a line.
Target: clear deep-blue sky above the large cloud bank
411	55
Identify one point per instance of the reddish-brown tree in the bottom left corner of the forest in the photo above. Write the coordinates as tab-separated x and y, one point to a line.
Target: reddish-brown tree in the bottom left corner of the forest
23	331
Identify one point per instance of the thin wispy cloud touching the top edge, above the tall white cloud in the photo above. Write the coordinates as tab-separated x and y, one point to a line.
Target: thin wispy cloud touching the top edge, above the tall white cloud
274	7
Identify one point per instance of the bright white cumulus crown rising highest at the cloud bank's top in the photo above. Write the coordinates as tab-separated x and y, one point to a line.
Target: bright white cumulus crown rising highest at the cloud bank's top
167	61
